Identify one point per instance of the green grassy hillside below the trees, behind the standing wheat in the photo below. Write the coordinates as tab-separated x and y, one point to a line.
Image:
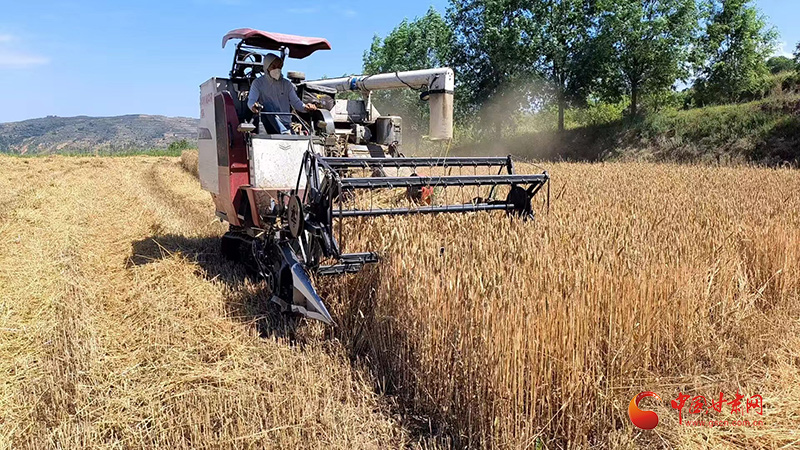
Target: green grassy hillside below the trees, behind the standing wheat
763	132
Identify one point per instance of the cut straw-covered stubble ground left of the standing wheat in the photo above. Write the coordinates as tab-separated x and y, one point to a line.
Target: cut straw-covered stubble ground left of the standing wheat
121	327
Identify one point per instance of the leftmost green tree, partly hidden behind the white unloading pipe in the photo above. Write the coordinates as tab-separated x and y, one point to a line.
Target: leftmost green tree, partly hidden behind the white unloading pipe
422	43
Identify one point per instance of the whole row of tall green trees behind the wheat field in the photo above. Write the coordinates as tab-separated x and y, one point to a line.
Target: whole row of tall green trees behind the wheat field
516	55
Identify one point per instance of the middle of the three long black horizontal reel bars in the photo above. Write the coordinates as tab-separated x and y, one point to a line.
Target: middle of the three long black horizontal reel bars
455	180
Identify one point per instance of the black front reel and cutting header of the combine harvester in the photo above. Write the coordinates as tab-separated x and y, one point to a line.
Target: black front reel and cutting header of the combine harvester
290	254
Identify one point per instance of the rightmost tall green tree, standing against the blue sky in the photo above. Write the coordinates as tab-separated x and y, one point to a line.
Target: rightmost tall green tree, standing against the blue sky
736	46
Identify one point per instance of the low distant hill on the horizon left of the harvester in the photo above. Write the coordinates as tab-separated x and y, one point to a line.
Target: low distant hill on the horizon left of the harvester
53	134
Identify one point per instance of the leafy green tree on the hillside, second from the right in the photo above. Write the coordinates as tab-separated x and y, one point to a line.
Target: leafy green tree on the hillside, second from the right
647	45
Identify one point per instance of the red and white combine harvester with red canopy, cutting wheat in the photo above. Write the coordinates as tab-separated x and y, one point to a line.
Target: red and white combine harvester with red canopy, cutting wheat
287	197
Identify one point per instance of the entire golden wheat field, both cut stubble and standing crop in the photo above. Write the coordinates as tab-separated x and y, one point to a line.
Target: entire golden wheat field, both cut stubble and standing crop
122	327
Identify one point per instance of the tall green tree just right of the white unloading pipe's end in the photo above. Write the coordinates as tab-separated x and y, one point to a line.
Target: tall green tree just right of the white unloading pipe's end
492	58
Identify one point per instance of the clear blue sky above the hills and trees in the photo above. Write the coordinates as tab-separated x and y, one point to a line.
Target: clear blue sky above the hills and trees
104	58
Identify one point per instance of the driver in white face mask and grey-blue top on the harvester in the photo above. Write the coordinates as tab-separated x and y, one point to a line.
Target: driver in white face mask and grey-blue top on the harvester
273	93
